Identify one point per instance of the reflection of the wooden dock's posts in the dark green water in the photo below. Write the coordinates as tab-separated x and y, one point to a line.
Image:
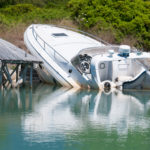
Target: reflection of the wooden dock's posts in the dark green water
15	100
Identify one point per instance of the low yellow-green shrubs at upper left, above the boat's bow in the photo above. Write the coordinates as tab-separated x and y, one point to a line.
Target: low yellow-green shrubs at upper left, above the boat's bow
28	13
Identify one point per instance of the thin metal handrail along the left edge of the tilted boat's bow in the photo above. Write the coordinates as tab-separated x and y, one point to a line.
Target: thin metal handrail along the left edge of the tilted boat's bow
44	43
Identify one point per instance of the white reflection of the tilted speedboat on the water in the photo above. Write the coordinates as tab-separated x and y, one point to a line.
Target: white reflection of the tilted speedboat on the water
65	111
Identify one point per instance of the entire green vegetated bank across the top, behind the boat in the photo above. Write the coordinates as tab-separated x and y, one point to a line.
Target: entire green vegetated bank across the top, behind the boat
117	21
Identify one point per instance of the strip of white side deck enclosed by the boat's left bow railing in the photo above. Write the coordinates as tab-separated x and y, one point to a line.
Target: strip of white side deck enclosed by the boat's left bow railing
47	48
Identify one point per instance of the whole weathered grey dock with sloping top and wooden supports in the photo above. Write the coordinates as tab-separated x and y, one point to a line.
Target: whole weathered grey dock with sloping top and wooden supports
19	61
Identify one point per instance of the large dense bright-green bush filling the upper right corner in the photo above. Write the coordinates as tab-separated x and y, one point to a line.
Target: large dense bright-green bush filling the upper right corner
125	18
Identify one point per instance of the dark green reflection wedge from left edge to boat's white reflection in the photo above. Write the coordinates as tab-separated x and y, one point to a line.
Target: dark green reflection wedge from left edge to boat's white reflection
22	99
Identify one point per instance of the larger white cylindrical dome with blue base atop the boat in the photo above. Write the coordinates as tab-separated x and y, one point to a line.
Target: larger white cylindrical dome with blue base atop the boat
124	51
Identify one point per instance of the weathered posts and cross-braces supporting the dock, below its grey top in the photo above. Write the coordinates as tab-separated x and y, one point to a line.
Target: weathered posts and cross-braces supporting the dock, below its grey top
12	76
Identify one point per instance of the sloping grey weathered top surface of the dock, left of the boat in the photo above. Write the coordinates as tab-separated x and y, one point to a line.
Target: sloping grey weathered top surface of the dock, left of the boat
9	52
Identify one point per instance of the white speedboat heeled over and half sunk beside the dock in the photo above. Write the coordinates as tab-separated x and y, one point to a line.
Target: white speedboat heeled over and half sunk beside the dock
77	59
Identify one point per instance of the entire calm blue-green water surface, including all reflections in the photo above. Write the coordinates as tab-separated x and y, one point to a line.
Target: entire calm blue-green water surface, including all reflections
50	118
